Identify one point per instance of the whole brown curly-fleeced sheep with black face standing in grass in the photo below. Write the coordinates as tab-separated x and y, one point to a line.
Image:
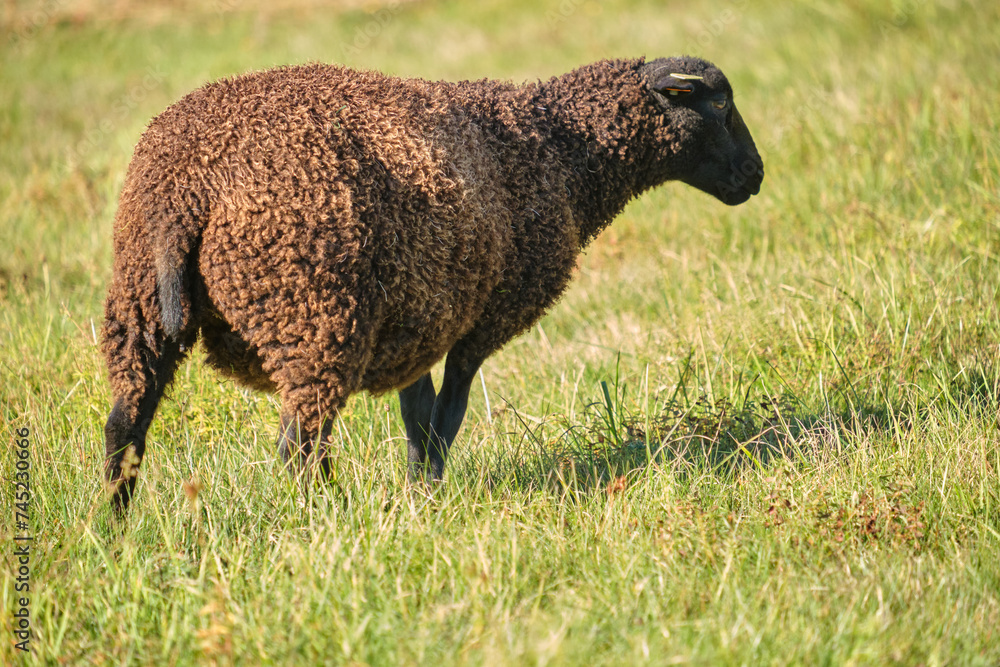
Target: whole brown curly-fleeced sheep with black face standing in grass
325	230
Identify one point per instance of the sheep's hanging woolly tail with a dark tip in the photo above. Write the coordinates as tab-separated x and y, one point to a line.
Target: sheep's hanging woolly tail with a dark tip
176	238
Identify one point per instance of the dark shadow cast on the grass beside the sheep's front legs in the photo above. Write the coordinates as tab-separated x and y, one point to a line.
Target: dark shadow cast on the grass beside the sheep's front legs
608	446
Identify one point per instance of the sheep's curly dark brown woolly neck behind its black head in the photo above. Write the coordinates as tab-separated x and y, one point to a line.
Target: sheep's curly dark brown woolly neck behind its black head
575	144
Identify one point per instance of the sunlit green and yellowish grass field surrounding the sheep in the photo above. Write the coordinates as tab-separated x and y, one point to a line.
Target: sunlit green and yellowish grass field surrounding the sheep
761	435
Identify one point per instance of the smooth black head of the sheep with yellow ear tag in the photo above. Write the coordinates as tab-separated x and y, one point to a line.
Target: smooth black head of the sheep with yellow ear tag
710	147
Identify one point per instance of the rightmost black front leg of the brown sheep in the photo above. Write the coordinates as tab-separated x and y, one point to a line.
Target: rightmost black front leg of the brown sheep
449	407
